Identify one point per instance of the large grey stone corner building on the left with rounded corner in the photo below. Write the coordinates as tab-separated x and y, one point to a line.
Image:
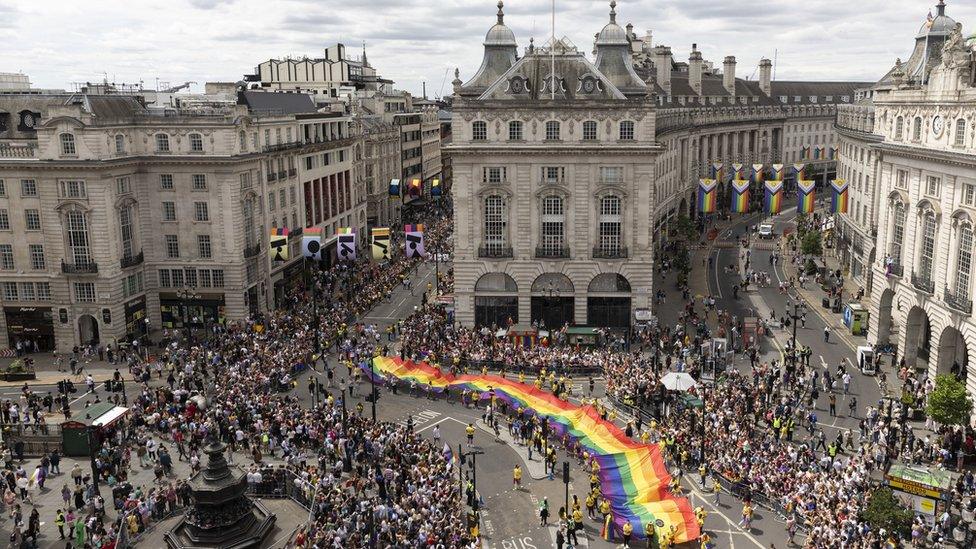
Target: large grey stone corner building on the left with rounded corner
112	214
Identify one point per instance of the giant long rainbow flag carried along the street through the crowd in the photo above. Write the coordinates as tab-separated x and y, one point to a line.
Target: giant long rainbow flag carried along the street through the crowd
633	476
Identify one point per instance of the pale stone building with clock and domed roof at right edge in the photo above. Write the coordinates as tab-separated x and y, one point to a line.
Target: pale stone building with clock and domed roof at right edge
917	137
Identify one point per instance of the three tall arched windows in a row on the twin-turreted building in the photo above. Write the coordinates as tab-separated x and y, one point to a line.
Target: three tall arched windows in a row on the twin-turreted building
553	223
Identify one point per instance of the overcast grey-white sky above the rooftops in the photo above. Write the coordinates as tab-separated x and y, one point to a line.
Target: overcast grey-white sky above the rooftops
59	42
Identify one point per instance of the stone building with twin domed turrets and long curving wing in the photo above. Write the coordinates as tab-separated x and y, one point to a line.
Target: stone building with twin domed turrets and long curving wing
561	199
